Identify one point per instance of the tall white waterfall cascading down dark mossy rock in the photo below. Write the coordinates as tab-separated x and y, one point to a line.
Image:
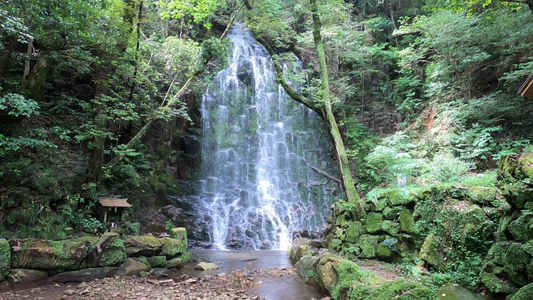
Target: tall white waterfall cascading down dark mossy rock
257	188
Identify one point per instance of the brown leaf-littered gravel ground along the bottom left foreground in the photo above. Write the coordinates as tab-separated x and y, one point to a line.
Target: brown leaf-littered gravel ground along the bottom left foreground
265	284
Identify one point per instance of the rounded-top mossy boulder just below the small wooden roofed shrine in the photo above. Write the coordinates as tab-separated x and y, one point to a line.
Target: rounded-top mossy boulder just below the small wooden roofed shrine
109	250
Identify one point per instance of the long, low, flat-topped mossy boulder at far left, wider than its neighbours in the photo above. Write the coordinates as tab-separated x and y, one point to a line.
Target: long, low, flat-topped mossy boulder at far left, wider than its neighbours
48	255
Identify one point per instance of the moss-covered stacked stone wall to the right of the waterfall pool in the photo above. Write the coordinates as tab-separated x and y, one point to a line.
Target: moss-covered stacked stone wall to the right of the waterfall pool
449	226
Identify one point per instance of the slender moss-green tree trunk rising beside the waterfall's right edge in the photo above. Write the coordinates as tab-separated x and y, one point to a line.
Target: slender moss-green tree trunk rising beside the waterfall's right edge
344	167
